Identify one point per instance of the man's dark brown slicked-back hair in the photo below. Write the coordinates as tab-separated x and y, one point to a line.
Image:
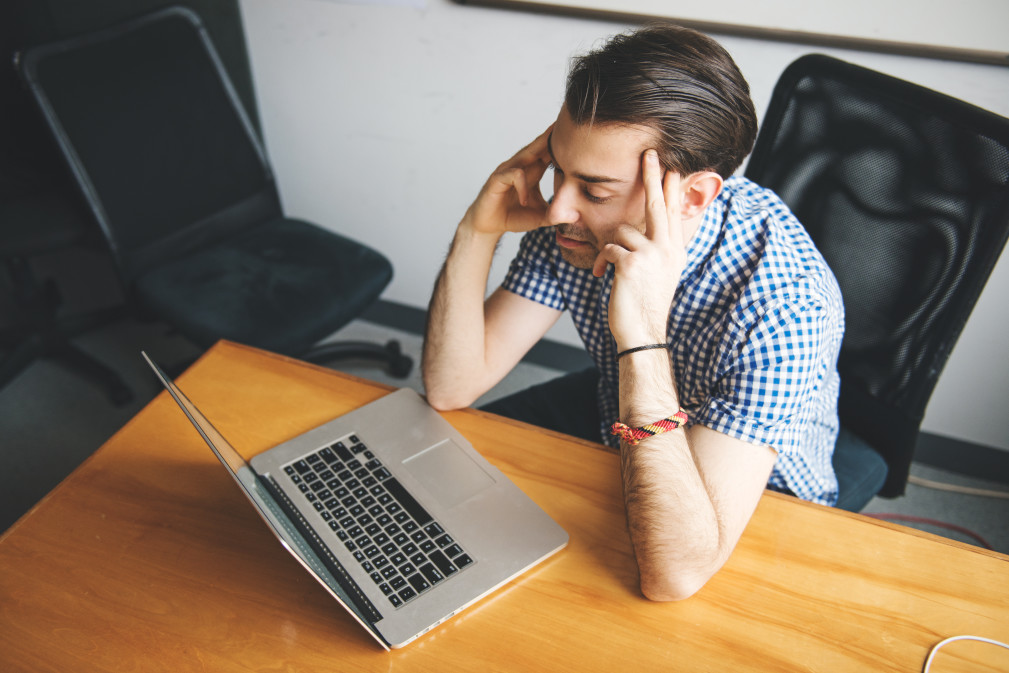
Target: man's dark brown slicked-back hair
678	82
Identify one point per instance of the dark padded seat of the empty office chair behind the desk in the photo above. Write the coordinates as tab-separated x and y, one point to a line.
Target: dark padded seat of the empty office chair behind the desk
282	286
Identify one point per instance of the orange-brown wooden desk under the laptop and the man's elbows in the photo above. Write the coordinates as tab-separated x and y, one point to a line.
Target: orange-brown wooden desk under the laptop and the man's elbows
149	558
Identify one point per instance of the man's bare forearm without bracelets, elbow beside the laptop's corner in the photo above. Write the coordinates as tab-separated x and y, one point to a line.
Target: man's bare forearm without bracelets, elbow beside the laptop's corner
455	344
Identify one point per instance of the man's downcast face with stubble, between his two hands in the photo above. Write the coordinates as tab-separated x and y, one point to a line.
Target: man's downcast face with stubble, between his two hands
598	185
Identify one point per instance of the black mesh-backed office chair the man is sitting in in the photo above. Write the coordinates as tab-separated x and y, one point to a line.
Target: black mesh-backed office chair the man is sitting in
907	194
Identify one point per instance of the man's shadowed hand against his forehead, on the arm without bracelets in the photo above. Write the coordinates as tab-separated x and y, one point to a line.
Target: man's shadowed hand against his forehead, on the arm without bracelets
511	199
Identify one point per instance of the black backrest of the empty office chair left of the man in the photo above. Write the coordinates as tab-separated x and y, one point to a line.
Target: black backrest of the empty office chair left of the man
163	175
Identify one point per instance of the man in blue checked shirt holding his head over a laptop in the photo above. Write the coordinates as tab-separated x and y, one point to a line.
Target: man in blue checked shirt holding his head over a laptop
714	322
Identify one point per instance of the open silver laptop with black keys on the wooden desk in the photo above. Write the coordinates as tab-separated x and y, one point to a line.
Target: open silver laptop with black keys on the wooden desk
393	511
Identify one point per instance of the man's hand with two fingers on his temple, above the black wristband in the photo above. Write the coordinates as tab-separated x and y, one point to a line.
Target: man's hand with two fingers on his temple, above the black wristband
648	266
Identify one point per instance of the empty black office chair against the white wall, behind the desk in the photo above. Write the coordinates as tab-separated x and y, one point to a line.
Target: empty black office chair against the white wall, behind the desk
179	183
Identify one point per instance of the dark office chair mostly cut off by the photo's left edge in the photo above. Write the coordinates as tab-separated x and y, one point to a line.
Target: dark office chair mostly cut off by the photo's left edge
39	218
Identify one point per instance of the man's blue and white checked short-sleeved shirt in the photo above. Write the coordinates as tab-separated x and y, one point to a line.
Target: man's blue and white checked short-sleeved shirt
754	332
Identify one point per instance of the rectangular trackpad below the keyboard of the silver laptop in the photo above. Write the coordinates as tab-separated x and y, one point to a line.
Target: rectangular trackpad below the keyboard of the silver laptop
449	474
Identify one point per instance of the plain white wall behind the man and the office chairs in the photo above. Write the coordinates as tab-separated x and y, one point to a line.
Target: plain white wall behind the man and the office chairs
384	121
